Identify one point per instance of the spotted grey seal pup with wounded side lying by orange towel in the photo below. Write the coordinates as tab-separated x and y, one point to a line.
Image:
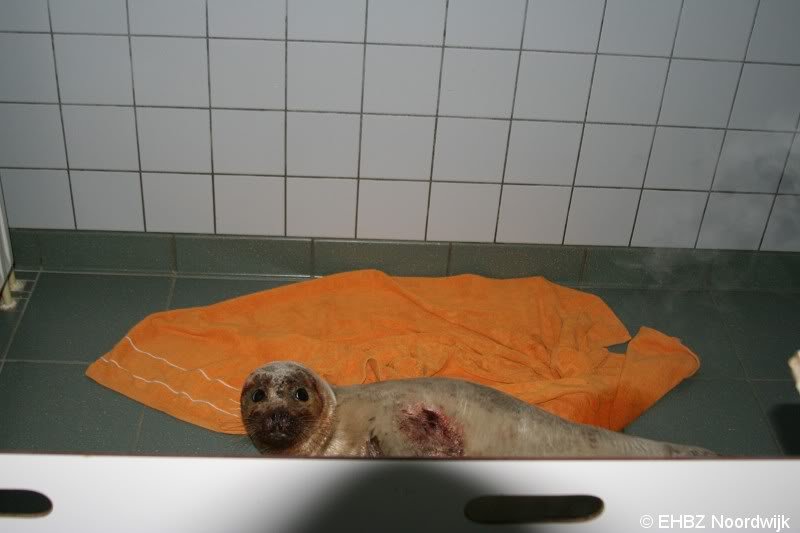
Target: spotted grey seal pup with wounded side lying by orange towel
289	410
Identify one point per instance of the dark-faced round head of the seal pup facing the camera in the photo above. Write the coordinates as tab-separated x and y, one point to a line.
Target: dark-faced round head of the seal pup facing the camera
287	409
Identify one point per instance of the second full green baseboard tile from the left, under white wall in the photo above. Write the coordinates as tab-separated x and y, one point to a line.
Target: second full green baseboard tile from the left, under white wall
266	256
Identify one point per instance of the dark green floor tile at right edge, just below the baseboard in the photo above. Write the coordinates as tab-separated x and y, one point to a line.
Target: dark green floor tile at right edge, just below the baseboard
763	327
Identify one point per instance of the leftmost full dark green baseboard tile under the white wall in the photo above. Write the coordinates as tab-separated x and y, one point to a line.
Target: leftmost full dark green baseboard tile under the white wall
106	251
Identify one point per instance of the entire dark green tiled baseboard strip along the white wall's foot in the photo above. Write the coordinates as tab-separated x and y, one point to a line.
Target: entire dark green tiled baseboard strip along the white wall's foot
587	266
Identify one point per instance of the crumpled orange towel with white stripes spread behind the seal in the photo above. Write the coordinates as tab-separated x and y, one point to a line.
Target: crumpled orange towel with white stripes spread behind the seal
541	342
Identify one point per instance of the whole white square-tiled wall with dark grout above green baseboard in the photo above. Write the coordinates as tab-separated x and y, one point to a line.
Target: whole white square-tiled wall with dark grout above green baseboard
364	125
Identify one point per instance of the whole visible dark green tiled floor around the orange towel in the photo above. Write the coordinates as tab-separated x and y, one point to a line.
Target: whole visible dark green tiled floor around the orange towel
741	402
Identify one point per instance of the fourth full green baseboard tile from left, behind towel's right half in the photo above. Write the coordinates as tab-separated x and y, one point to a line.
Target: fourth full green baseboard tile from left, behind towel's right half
556	263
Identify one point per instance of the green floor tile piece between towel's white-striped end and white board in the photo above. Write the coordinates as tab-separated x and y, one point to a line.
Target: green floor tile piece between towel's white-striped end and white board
162	434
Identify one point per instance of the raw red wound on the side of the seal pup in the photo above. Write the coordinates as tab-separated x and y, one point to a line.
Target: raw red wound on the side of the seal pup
431	432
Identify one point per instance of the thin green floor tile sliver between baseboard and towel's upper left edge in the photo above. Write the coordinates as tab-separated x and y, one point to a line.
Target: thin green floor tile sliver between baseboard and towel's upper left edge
193	292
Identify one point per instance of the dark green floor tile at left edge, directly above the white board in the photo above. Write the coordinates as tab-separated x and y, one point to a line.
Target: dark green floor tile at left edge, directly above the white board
56	408
